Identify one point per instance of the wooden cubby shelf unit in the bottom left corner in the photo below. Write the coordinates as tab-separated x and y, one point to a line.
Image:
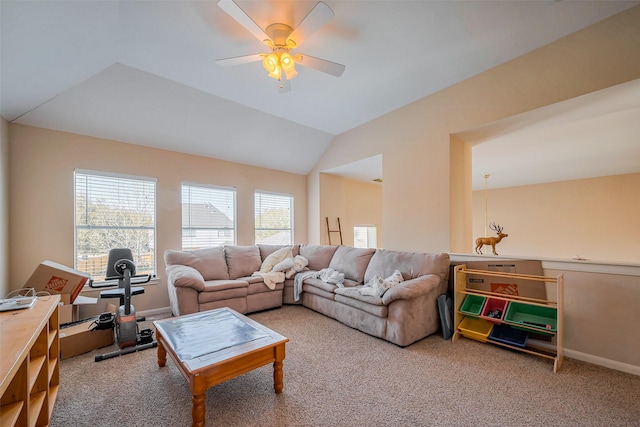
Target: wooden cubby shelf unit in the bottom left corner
30	365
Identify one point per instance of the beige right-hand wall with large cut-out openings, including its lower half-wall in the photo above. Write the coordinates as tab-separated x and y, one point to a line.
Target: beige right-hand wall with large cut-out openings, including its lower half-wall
427	185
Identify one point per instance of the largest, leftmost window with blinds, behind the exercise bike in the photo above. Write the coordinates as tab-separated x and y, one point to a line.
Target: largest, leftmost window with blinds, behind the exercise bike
114	211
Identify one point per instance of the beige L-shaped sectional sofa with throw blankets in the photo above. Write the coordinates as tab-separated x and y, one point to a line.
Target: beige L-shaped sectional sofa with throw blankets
388	294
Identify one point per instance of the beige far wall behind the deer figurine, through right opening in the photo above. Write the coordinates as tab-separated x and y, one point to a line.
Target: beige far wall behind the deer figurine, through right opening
594	218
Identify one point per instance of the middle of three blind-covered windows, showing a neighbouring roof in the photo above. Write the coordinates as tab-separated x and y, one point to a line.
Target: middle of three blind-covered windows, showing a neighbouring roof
208	216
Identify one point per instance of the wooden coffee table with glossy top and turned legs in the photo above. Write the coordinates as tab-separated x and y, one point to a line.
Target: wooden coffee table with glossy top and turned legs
215	346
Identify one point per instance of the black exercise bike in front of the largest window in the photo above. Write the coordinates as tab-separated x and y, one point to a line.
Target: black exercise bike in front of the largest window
127	334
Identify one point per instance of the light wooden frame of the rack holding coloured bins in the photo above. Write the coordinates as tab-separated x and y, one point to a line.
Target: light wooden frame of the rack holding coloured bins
551	351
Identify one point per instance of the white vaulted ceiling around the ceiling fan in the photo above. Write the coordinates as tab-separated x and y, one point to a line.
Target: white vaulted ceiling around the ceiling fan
143	72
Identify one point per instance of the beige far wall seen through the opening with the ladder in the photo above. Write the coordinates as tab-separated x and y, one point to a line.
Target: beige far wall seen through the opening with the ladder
354	202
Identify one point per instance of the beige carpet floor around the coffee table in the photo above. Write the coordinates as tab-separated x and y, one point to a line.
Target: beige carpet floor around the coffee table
337	376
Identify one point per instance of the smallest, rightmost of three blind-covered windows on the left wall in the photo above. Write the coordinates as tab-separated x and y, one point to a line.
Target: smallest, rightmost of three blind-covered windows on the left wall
274	218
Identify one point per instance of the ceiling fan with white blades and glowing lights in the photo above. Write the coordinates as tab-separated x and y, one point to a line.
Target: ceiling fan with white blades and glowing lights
282	39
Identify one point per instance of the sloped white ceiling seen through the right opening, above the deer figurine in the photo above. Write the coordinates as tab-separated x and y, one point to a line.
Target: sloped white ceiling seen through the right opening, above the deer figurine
593	135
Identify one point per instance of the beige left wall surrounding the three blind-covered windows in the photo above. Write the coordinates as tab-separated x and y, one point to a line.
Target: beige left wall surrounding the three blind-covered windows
41	185
